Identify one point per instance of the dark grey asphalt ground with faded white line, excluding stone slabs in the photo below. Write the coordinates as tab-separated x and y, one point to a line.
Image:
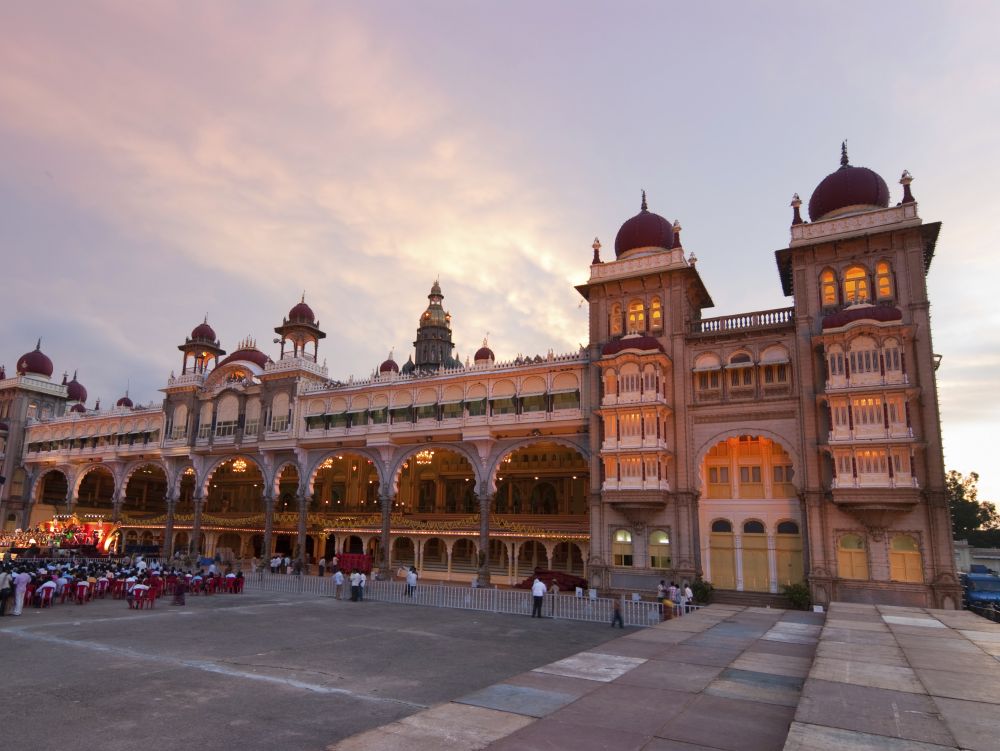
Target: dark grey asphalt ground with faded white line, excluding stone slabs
252	671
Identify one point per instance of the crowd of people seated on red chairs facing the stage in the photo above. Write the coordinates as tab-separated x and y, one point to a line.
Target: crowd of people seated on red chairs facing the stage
44	583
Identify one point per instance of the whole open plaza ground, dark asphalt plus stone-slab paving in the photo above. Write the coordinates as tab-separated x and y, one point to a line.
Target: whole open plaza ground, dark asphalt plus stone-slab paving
264	670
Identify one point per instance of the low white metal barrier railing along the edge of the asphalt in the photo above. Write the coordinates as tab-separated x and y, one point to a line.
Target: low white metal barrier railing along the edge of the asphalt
509	601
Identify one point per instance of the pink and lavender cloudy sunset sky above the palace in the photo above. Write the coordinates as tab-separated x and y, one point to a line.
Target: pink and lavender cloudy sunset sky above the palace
160	162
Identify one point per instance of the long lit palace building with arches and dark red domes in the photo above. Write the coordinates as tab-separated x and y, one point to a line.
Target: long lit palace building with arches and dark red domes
793	444
